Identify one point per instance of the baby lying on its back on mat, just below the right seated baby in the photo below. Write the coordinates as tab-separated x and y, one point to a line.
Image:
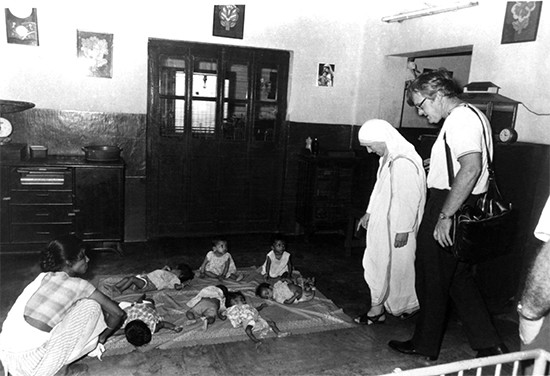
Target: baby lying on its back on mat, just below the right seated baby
287	291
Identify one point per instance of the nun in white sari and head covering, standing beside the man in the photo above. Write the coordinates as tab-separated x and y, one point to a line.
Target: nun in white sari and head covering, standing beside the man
392	219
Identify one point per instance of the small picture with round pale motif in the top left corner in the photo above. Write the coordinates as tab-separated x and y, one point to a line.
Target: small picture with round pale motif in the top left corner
22	26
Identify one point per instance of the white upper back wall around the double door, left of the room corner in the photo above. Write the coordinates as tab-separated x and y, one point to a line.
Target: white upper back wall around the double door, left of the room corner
315	32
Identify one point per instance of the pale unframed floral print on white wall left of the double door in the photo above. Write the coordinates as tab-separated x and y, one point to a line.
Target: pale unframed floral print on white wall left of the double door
95	53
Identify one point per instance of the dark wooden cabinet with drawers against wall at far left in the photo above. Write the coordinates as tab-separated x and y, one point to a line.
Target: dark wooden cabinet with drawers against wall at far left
42	199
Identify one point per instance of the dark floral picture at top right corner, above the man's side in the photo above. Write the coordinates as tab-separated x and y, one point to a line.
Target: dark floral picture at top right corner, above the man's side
521	21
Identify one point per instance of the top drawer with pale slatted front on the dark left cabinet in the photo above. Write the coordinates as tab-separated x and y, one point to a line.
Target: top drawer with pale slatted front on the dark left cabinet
41	178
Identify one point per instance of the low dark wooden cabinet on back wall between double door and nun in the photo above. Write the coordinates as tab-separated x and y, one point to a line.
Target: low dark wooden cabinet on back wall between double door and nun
324	194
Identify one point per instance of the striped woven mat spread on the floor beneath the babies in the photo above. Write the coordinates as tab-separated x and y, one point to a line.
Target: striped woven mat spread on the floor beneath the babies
319	314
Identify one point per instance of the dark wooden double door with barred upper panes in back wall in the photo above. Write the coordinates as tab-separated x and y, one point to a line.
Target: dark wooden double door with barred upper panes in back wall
215	138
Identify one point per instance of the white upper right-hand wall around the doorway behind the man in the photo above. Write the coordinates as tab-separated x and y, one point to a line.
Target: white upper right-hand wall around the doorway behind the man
522	70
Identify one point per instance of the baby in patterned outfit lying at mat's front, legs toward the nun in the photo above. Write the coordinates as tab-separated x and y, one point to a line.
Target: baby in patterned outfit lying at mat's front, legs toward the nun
241	314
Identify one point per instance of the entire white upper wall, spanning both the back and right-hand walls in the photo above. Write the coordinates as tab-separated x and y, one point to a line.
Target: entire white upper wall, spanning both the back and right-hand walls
368	81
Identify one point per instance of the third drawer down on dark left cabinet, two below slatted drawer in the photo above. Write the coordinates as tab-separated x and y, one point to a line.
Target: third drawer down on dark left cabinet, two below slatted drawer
41	213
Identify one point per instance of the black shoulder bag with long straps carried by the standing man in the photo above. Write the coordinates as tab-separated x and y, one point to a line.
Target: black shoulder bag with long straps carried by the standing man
481	230
